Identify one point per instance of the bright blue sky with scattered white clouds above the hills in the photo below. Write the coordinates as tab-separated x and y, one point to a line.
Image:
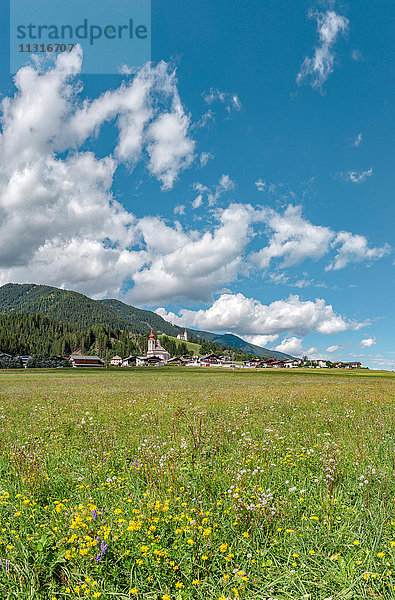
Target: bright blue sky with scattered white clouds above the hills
260	199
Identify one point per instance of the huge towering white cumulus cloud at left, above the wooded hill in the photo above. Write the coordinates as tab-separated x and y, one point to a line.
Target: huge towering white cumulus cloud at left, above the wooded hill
56	197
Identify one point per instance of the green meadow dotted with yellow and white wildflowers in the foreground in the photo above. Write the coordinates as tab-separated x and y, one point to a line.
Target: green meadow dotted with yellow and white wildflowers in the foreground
170	484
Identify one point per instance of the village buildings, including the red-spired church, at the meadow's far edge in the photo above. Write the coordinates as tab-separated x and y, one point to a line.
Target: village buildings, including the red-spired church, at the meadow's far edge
158	356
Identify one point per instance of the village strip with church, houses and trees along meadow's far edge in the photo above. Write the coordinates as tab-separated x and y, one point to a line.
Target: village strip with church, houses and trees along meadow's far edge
157	356
